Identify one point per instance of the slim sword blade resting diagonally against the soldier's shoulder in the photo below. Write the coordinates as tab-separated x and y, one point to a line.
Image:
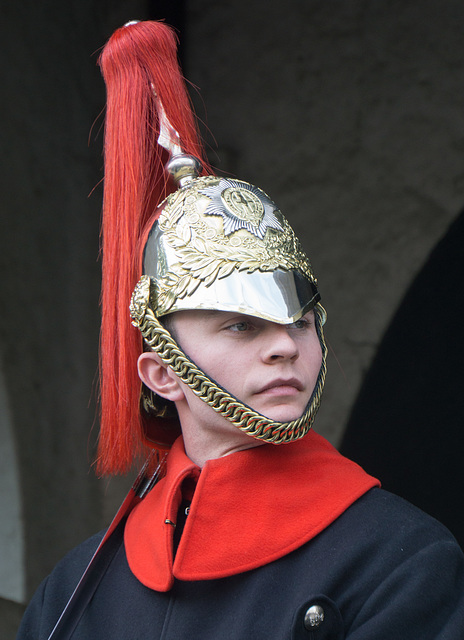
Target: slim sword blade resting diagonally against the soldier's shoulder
152	471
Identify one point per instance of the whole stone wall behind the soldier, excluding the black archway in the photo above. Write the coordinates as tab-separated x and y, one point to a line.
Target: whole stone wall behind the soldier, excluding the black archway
350	114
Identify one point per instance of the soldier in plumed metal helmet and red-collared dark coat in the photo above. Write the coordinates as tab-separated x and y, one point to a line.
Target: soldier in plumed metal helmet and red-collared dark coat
256	527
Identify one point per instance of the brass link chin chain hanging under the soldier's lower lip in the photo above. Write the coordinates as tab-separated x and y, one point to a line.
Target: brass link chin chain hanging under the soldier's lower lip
243	417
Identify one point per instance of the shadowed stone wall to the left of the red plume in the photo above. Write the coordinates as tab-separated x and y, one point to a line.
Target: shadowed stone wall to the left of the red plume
52	94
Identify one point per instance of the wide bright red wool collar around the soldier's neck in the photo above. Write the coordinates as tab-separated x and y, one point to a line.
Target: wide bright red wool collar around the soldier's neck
249	508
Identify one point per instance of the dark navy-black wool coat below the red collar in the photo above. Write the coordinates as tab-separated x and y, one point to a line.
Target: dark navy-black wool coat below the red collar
382	571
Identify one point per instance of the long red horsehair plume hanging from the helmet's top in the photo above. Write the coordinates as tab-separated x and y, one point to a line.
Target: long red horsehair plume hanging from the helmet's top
140	68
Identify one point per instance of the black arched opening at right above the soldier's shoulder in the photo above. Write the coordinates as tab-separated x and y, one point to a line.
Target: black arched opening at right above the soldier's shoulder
407	425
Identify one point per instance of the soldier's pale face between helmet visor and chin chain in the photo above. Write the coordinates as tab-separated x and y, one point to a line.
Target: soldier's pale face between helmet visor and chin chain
270	367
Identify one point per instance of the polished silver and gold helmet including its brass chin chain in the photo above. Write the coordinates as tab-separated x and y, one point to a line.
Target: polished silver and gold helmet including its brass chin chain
222	244
